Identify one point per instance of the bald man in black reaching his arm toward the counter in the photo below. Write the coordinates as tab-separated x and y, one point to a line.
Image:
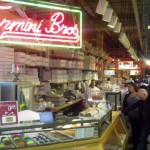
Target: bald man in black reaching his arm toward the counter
144	115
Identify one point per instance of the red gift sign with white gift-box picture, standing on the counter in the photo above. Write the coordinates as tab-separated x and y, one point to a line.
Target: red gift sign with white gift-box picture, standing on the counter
8	113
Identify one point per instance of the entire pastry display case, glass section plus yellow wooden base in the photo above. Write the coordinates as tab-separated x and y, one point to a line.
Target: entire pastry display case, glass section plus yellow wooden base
68	133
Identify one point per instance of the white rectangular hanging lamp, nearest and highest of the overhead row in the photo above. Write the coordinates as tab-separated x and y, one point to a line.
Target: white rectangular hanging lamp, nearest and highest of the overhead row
101	7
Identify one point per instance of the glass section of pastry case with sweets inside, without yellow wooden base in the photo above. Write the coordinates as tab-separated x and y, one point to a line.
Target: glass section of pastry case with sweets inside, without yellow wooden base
31	134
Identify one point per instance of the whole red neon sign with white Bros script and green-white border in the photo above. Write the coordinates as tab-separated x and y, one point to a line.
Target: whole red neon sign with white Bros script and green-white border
58	27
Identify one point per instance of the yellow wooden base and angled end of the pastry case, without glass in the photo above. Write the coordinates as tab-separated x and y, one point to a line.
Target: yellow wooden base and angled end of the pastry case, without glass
115	136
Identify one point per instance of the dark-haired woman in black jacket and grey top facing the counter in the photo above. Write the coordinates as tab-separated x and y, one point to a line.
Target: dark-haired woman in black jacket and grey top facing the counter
130	99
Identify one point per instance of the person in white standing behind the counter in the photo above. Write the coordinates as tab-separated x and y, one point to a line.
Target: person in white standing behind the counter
92	89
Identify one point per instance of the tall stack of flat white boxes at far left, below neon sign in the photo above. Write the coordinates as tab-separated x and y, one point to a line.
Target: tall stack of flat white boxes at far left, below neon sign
6	61
